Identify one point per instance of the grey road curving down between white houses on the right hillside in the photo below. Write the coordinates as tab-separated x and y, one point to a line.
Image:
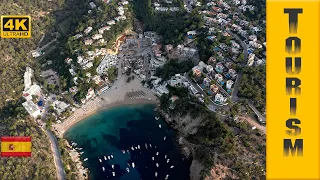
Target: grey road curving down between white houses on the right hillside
234	95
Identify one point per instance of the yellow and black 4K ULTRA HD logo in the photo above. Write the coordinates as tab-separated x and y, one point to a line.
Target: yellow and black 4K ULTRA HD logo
15	26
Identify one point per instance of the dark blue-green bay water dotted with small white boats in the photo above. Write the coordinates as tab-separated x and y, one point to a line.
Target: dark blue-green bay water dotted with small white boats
113	130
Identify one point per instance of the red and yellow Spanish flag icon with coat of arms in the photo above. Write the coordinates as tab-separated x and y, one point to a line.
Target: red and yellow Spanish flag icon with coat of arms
15	146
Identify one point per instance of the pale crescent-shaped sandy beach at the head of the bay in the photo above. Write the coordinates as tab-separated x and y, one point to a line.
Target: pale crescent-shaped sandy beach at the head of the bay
121	93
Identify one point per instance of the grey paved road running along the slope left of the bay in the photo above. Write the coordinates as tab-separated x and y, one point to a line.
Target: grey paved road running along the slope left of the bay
57	157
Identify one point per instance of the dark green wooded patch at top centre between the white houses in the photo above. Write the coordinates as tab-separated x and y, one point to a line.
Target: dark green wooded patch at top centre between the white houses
171	26
